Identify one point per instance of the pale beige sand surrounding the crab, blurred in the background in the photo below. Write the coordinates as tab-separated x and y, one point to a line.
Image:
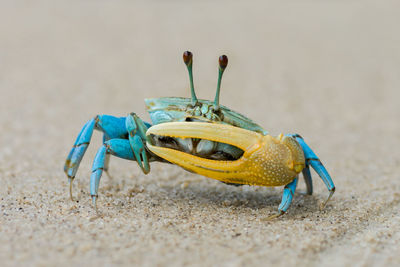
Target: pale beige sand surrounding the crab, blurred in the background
327	70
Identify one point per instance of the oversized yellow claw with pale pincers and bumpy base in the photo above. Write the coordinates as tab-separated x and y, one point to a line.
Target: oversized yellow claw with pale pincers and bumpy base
266	160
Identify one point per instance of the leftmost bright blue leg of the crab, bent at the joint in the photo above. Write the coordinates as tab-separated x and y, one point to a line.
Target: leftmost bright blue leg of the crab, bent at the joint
112	127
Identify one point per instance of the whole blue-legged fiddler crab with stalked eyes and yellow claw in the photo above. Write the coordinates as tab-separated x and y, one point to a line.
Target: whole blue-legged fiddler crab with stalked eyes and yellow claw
203	137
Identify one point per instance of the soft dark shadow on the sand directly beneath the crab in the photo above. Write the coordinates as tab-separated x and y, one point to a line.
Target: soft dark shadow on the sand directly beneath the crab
254	198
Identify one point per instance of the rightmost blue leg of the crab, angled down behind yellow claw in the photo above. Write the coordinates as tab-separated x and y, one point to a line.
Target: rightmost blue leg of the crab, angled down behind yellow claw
314	161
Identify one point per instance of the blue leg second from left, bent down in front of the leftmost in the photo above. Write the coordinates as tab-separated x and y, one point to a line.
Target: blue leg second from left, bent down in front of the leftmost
117	147
